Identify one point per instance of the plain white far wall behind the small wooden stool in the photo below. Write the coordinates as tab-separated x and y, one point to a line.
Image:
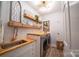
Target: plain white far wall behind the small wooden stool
56	25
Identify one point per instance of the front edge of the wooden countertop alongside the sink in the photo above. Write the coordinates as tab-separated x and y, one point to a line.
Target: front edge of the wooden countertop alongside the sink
28	41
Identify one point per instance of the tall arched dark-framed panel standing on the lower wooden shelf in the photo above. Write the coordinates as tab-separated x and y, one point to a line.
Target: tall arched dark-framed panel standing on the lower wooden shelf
15	11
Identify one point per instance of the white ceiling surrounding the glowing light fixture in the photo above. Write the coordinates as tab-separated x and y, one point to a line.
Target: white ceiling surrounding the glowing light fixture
54	6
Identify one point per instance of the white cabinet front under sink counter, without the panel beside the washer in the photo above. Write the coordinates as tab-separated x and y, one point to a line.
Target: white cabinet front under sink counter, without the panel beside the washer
24	51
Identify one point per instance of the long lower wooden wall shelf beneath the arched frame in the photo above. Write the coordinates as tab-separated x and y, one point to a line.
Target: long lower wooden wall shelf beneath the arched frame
20	25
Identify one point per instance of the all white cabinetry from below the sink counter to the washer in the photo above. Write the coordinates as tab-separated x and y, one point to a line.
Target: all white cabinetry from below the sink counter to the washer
30	50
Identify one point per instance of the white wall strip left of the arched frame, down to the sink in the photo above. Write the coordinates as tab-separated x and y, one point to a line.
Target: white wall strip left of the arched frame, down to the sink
7	31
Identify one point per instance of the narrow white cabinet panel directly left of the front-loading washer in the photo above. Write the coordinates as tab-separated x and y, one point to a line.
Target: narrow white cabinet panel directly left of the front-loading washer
36	46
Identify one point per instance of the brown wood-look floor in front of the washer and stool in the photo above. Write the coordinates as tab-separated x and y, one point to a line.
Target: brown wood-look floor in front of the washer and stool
54	52
